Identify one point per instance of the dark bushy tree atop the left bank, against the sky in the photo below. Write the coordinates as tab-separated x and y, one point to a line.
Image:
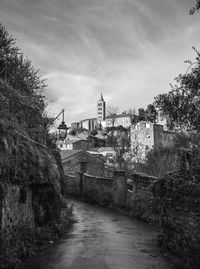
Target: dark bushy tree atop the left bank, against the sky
21	94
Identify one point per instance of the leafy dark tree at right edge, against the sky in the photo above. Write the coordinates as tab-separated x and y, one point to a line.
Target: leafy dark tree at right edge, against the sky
181	105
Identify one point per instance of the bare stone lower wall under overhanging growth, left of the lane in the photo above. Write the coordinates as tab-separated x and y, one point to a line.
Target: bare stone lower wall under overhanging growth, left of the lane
38	204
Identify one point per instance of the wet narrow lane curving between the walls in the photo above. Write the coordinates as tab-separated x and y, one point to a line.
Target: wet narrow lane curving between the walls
101	239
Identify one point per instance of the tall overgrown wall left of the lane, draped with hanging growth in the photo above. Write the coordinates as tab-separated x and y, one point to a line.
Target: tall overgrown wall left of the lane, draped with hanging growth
27	166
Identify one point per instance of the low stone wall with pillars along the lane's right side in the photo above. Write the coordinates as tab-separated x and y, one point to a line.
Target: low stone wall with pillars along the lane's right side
132	192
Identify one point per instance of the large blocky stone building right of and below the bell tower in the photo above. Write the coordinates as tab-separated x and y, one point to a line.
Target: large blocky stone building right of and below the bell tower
149	135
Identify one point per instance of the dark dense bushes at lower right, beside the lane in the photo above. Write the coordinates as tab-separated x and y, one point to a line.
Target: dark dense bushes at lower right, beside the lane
177	195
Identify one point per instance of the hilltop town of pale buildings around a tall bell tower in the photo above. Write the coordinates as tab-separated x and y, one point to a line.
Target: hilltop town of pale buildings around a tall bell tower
100	136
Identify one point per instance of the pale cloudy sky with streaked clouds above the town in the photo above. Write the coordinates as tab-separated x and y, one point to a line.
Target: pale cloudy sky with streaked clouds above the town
128	50
